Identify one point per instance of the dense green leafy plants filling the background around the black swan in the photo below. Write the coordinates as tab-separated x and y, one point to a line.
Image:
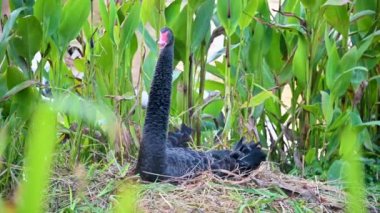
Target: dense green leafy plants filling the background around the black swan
325	53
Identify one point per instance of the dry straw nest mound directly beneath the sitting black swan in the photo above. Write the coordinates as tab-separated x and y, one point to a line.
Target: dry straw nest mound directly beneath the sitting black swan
263	189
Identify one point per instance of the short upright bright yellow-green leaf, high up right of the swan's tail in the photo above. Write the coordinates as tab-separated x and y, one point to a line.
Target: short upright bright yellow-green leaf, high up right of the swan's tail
300	62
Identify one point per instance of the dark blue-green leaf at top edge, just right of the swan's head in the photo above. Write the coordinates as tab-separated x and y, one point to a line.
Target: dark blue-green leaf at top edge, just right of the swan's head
201	24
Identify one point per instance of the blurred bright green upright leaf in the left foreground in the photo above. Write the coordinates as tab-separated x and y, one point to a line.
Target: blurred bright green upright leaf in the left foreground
42	134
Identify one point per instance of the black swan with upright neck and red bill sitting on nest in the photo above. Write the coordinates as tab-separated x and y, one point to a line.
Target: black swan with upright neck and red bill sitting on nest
164	155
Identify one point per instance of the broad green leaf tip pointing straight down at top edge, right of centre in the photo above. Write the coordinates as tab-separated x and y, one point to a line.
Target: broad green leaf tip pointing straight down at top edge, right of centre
229	13
